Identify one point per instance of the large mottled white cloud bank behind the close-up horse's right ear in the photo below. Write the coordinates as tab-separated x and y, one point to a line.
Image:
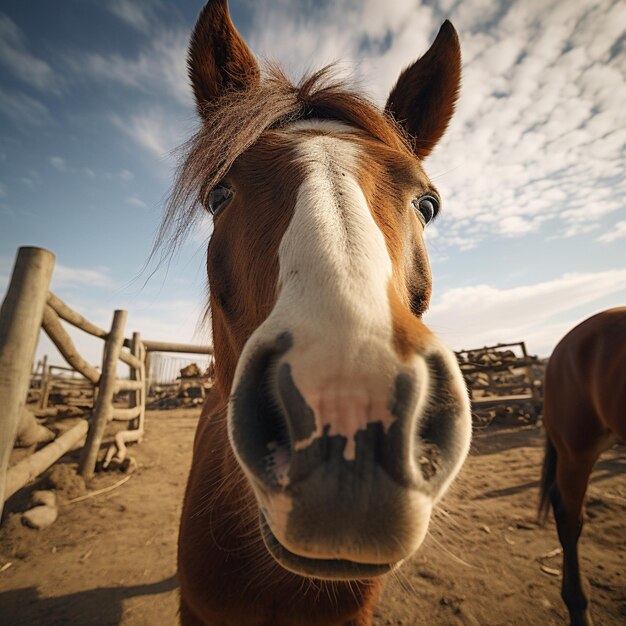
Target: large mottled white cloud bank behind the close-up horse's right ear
537	143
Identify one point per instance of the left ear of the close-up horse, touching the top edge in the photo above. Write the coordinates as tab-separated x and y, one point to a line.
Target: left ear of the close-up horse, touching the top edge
218	60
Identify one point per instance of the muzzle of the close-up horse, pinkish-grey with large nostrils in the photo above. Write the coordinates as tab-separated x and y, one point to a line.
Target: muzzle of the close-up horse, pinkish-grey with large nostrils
346	467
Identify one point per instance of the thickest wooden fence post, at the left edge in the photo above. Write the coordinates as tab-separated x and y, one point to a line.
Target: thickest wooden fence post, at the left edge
20	321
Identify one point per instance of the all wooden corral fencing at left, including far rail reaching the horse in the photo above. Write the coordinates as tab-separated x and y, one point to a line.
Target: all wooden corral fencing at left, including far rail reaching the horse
28	307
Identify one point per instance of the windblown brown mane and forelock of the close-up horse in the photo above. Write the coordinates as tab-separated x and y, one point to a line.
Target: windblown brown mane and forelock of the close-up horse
236	120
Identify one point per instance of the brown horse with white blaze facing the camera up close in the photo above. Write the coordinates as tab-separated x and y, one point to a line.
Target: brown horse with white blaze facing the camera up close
338	419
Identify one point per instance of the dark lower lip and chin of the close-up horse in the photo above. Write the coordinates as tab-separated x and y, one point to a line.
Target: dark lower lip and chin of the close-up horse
324	569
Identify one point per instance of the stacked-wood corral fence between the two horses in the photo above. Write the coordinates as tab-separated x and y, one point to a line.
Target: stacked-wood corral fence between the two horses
504	381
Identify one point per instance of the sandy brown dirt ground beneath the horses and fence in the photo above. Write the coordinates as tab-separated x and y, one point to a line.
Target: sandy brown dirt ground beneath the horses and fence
110	559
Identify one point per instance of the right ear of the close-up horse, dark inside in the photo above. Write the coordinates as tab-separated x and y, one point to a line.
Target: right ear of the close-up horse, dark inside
424	97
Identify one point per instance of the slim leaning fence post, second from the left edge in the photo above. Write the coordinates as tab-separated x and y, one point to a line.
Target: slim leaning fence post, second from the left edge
103	410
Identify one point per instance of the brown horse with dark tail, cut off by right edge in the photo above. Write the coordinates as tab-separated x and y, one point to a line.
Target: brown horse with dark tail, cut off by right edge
584	414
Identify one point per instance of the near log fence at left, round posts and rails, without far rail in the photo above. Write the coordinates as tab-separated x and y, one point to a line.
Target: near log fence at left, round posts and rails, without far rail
29	306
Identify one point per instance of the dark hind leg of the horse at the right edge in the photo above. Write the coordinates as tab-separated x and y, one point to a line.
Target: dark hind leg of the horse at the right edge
567	499
